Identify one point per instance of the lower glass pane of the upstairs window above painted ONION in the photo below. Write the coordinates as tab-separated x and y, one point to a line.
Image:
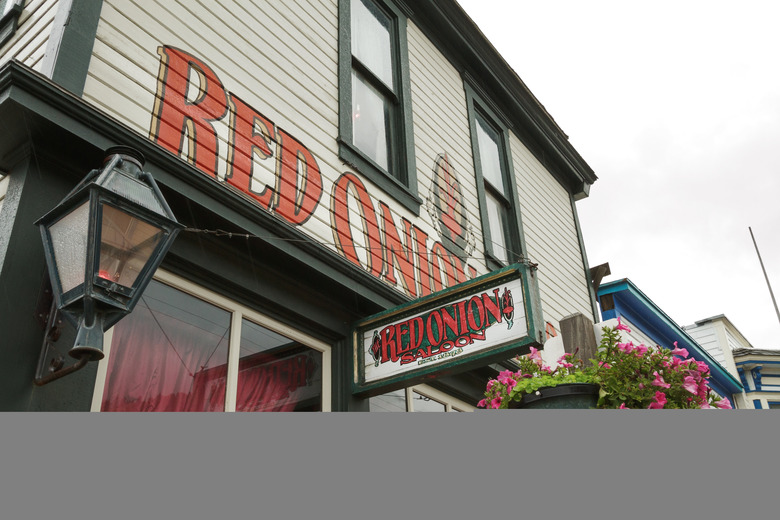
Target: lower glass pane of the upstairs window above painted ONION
370	116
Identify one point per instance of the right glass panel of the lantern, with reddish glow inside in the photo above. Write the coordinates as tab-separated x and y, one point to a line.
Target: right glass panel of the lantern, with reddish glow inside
126	245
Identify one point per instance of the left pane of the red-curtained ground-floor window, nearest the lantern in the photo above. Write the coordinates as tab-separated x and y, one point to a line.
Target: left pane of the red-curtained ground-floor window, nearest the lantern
169	354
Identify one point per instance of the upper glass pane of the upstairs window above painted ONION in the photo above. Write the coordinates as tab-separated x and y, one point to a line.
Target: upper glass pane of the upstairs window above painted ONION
371	39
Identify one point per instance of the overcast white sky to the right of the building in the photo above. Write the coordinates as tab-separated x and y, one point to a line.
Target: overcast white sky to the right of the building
676	107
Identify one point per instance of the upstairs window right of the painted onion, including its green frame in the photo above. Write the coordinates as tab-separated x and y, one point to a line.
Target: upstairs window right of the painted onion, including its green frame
499	209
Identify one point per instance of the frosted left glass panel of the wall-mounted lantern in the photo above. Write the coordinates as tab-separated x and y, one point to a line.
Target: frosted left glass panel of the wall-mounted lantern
69	243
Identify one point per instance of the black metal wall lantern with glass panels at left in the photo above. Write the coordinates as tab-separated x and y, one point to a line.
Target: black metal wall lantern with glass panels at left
103	243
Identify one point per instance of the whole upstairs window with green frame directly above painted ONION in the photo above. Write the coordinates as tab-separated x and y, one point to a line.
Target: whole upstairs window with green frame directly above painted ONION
375	121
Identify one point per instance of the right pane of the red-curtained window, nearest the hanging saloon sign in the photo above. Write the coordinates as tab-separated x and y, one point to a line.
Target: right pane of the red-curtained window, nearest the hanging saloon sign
276	374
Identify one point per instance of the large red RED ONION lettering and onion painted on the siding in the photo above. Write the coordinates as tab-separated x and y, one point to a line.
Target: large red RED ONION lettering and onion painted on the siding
191	101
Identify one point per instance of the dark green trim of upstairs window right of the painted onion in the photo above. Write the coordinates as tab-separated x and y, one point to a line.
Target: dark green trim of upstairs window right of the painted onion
480	107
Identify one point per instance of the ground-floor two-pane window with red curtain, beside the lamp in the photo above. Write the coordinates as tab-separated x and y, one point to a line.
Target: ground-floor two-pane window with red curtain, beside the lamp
172	354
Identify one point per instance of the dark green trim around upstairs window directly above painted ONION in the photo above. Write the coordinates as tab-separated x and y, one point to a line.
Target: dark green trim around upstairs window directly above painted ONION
400	182
